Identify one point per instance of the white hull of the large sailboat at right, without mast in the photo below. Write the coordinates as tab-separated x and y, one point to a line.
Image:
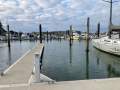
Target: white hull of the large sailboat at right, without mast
107	45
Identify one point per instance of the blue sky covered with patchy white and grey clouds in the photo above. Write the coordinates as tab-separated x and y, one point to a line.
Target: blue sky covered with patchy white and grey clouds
57	15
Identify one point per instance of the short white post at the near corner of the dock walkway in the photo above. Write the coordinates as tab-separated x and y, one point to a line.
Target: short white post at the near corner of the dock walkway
37	67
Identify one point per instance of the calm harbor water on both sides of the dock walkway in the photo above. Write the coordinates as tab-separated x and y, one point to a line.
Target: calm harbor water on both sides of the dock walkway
62	62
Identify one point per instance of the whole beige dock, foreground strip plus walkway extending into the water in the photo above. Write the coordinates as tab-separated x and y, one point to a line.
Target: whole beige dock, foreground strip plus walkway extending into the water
17	77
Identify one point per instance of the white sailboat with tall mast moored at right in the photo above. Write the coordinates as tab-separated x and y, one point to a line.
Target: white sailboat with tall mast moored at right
109	44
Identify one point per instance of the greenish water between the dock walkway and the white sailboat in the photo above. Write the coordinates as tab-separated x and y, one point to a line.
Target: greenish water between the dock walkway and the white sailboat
63	62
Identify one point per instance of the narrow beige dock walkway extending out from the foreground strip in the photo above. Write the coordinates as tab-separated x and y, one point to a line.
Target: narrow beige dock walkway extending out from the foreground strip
21	71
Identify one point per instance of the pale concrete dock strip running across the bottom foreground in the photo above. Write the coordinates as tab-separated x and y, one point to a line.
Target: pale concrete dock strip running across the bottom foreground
103	84
